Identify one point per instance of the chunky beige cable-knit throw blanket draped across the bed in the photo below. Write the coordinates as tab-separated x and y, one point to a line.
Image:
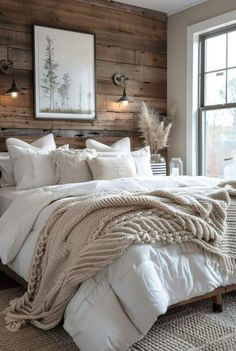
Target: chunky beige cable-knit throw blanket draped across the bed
86	234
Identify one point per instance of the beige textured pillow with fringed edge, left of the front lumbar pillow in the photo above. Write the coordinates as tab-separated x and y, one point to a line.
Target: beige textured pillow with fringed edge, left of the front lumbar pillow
71	165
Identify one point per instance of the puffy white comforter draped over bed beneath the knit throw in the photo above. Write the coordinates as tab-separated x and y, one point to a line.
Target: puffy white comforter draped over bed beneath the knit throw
120	304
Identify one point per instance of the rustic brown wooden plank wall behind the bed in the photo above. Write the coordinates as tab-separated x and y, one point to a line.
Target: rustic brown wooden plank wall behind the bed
129	40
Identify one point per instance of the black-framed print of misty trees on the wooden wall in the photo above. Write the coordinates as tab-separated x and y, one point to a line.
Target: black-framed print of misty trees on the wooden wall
65	82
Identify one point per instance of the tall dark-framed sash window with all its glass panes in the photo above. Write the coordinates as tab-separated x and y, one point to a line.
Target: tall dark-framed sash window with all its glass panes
217	111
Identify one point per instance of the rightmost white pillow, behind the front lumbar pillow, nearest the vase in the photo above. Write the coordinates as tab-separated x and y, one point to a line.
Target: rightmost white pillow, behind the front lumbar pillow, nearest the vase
141	158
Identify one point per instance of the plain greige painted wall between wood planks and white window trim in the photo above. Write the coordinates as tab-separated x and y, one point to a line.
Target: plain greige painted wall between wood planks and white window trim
176	64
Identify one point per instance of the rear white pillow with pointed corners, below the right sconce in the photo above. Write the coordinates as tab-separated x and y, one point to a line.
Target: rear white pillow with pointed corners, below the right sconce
122	145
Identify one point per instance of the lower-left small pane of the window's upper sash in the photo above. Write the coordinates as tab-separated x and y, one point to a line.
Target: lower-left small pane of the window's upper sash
215	88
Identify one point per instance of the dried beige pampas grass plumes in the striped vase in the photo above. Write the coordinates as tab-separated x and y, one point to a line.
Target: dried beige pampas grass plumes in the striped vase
153	130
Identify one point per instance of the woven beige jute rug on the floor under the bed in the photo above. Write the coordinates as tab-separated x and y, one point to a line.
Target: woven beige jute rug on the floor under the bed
190	328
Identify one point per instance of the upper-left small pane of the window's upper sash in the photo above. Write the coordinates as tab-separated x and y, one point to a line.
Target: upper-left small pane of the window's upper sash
215	53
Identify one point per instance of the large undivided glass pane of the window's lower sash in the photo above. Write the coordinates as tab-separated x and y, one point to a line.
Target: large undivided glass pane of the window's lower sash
221	143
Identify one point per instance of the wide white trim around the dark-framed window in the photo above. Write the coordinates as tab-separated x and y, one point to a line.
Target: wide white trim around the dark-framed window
192	86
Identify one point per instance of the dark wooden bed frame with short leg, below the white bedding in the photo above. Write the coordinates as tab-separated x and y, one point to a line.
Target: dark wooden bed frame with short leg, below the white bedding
215	295
